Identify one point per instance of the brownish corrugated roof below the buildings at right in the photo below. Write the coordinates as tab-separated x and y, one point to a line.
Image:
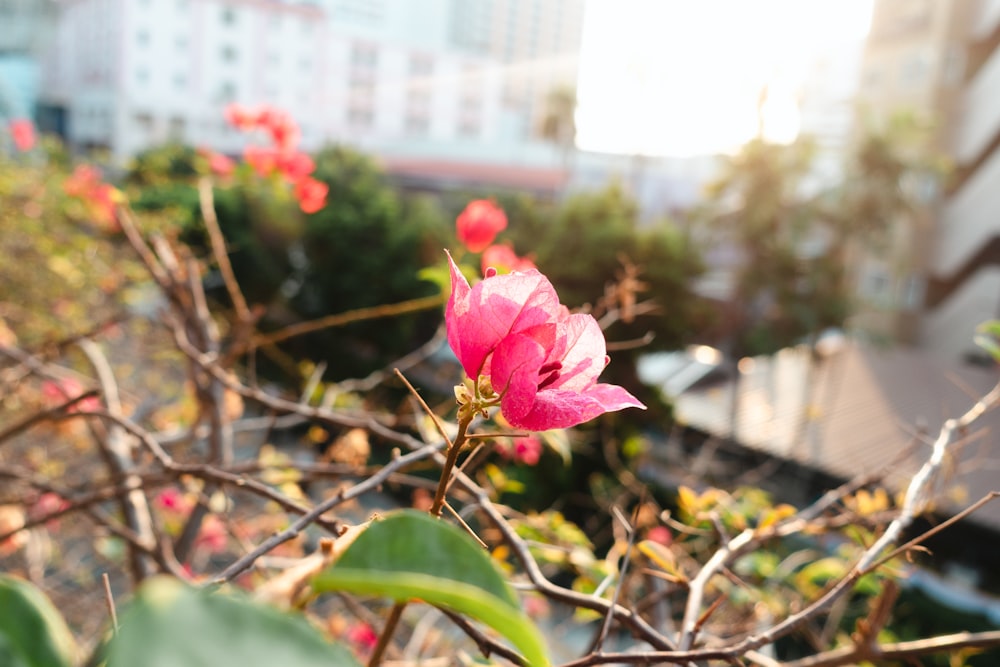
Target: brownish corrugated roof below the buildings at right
866	410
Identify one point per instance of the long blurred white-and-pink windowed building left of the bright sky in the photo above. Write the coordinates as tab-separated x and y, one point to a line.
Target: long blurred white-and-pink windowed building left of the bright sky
435	79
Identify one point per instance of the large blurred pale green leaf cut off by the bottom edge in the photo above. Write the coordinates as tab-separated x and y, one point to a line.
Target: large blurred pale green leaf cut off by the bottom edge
170	624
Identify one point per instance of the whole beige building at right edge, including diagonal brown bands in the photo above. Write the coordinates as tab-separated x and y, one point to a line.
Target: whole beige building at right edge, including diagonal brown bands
938	59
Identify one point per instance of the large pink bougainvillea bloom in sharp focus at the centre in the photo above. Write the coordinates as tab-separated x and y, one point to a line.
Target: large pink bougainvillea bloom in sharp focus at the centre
541	360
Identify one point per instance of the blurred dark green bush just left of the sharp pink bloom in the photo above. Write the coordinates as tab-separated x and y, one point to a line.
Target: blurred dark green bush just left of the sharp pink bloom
365	249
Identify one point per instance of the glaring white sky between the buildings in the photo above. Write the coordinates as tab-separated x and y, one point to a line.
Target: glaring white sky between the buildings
683	77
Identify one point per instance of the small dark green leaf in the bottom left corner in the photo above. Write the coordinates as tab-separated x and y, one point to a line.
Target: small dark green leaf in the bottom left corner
32	633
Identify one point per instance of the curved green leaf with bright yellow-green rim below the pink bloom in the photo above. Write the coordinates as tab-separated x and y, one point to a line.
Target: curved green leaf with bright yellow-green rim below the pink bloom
409	554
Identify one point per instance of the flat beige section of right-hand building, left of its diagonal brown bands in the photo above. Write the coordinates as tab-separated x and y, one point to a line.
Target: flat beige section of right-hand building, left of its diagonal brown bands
913	63
